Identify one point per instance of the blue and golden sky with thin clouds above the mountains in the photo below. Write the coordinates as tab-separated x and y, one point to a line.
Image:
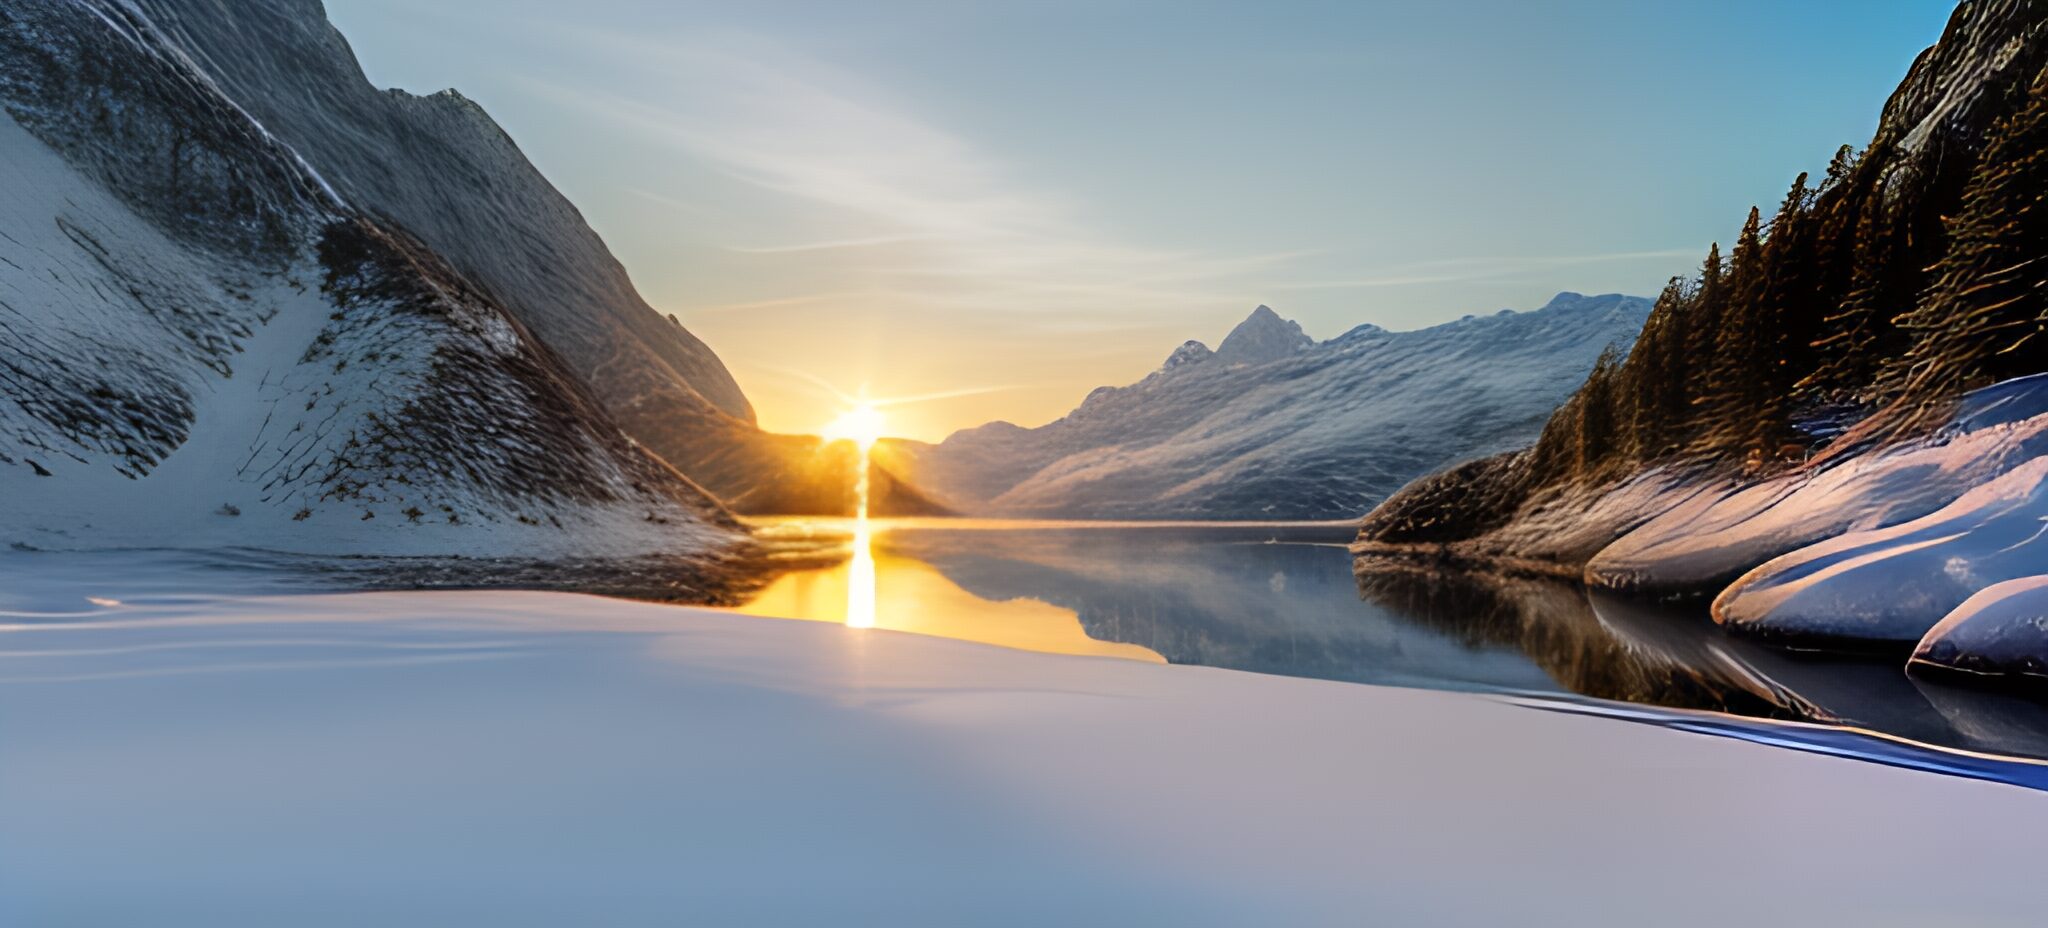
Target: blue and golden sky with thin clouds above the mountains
1023	202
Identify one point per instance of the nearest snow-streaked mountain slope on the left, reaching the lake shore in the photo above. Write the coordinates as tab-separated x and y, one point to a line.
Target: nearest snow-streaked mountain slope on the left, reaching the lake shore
204	343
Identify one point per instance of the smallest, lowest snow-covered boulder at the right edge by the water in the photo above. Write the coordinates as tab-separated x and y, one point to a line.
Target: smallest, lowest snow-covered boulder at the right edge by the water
1998	636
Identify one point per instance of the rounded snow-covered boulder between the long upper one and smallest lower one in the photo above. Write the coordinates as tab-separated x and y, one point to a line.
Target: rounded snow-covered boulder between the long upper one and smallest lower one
1893	585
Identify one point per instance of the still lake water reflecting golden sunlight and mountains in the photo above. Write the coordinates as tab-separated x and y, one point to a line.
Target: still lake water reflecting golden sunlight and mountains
1283	599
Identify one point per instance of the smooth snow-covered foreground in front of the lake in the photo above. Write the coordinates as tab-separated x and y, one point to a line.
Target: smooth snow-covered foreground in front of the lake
542	759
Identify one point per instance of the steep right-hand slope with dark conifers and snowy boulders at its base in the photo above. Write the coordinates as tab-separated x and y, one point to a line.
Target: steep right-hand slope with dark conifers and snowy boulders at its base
1861	368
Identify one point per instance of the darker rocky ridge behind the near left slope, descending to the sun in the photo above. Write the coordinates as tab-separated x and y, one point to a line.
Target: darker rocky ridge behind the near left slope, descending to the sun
441	169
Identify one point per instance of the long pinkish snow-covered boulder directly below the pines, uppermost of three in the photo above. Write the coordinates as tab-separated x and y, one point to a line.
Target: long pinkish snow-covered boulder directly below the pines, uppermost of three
1715	532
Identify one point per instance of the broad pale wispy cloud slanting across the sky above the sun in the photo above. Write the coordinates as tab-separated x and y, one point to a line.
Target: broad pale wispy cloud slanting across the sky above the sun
929	210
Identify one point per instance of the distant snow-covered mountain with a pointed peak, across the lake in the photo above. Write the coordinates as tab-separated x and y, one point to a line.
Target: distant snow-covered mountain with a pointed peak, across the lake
1275	425
